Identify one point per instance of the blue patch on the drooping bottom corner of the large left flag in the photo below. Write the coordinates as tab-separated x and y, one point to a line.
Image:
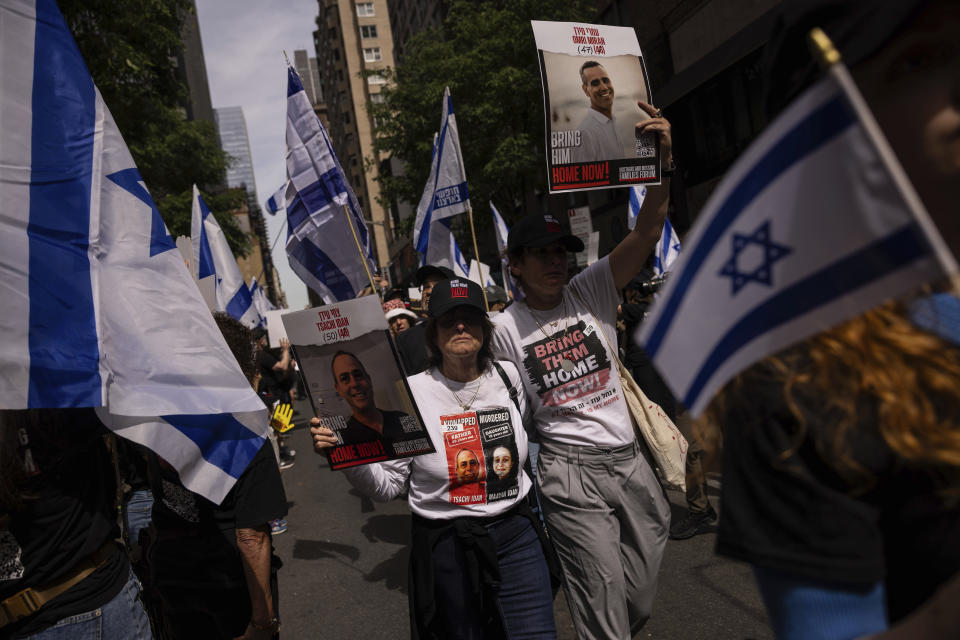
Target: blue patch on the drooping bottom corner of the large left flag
223	441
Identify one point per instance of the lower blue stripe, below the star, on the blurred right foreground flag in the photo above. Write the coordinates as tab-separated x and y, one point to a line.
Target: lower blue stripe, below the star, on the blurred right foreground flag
856	270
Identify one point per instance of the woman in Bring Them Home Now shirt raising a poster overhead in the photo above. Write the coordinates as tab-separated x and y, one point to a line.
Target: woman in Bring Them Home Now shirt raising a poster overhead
604	508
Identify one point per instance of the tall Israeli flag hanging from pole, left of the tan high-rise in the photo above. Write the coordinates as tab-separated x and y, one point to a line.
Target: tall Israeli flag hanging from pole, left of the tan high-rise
321	207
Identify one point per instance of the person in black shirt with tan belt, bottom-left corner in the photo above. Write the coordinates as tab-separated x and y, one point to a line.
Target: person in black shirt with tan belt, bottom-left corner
59	559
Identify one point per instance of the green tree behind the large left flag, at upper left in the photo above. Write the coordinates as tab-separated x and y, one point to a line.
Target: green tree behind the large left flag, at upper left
131	49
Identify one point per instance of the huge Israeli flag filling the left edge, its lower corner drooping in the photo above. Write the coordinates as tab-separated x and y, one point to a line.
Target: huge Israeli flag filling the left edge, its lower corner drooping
99	308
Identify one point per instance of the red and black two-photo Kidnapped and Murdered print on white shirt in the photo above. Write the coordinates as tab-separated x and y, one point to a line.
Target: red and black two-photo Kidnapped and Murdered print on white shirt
482	456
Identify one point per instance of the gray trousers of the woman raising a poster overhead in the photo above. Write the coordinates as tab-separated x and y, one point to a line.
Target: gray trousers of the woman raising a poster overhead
608	519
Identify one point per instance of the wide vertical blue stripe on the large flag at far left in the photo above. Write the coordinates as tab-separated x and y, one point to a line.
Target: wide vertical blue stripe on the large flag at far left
64	350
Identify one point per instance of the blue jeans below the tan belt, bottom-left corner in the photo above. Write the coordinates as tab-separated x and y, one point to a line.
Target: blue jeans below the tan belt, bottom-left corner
123	618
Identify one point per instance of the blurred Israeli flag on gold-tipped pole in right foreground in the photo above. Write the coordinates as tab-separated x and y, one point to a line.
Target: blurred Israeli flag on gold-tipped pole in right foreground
814	224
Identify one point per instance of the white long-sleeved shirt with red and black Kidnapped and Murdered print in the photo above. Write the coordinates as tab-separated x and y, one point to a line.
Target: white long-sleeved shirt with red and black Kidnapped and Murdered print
490	427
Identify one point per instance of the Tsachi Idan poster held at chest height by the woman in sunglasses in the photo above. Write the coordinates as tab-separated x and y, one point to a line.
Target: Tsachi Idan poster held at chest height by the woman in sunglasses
355	383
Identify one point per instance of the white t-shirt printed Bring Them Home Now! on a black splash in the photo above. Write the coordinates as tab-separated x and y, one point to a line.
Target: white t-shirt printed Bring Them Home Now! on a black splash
584	405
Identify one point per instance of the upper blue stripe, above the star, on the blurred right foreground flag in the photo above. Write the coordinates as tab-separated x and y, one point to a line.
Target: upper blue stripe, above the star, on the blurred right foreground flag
818	128
